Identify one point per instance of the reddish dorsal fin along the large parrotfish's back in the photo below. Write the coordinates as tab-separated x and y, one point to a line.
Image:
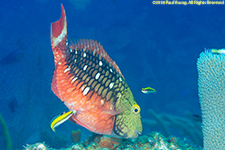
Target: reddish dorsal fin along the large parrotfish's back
96	48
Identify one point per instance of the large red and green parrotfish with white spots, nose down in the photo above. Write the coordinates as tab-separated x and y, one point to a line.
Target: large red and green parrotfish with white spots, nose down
89	82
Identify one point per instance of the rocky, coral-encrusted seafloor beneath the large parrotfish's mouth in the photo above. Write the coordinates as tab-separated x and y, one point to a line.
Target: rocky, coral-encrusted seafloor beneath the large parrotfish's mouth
152	141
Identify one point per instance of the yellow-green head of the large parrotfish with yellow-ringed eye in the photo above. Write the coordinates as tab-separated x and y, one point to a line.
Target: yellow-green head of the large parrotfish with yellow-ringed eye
128	123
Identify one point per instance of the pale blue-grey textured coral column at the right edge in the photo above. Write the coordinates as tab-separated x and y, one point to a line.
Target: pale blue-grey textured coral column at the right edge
211	83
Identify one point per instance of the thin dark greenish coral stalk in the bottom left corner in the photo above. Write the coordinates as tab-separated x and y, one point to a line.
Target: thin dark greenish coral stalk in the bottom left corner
6	133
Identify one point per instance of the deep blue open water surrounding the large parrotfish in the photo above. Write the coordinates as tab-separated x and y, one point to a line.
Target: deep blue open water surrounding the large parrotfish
153	45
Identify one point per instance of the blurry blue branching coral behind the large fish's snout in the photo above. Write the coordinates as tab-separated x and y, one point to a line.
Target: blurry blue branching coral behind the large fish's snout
191	128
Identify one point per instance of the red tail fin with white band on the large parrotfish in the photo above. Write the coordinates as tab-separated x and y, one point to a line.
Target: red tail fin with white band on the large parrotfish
59	36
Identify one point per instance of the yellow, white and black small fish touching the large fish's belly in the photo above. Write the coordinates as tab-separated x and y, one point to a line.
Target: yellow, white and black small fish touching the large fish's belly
61	119
